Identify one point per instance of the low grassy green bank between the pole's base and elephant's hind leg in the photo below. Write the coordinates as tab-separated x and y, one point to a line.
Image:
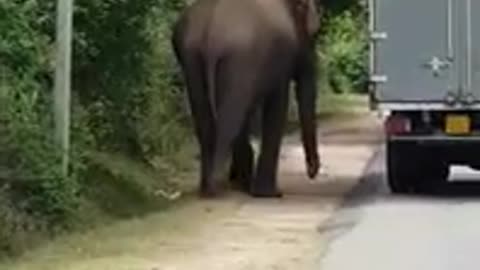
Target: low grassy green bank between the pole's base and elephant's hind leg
121	188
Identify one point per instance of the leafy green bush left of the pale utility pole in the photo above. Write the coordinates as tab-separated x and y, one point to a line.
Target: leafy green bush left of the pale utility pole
29	153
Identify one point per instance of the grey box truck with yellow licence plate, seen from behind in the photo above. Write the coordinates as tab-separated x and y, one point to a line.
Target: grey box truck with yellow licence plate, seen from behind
424	76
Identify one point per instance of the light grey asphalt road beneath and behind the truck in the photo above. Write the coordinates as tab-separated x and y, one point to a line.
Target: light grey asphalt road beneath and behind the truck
377	230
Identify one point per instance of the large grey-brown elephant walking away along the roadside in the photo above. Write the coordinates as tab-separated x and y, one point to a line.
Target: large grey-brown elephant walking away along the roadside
238	57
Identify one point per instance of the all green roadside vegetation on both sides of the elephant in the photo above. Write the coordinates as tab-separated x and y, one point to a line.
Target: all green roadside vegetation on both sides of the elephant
132	147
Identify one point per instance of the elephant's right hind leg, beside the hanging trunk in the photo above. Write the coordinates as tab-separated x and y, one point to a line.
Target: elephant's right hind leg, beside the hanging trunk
274	114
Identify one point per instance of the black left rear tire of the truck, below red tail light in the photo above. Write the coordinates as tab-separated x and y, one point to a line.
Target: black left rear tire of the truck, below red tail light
399	167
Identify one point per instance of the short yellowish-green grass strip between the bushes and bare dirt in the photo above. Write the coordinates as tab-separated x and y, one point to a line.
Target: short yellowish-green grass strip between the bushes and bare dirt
131	244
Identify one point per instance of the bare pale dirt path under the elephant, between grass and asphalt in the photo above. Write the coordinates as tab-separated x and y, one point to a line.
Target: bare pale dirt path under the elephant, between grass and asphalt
282	233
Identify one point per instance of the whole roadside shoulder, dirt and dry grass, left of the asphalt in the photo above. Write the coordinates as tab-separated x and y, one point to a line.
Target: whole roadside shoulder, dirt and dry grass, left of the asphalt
233	232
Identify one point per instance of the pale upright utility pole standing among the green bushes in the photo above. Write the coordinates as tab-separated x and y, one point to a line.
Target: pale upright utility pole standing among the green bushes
63	79
